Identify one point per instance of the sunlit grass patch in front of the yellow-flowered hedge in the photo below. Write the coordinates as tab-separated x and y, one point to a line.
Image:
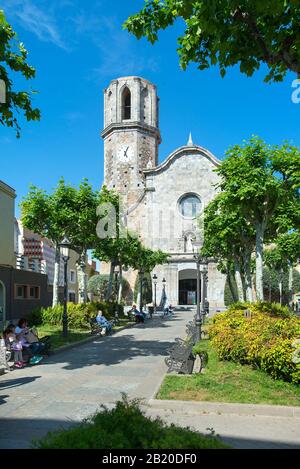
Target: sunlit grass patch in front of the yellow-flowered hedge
225	381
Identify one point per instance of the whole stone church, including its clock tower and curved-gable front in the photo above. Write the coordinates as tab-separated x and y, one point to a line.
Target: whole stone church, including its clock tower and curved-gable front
163	202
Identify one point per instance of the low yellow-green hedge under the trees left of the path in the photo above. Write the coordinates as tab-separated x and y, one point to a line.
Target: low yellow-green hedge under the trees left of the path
78	314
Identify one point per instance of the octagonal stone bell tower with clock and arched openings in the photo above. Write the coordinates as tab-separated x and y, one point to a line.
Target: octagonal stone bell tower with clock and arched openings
131	135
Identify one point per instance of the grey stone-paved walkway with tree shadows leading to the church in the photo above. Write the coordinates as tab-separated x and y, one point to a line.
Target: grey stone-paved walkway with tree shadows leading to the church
73	384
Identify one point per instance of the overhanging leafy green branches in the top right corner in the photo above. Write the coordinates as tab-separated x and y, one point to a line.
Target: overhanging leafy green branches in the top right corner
228	32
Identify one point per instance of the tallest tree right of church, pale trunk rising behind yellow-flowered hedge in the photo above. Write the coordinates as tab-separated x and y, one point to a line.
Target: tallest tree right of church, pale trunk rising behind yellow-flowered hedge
257	189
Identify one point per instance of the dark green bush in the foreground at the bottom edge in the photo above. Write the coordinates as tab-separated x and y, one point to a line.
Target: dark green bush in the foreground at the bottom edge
126	427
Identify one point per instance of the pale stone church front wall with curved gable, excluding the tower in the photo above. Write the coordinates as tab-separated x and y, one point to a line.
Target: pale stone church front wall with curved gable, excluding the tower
157	218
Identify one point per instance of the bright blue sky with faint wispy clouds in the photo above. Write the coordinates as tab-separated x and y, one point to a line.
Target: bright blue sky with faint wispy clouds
78	47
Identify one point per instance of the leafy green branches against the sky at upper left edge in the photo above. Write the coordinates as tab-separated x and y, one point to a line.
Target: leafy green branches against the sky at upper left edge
13	60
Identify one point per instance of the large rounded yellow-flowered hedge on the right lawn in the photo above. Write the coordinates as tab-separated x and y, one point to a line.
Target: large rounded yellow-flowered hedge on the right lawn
267	337
